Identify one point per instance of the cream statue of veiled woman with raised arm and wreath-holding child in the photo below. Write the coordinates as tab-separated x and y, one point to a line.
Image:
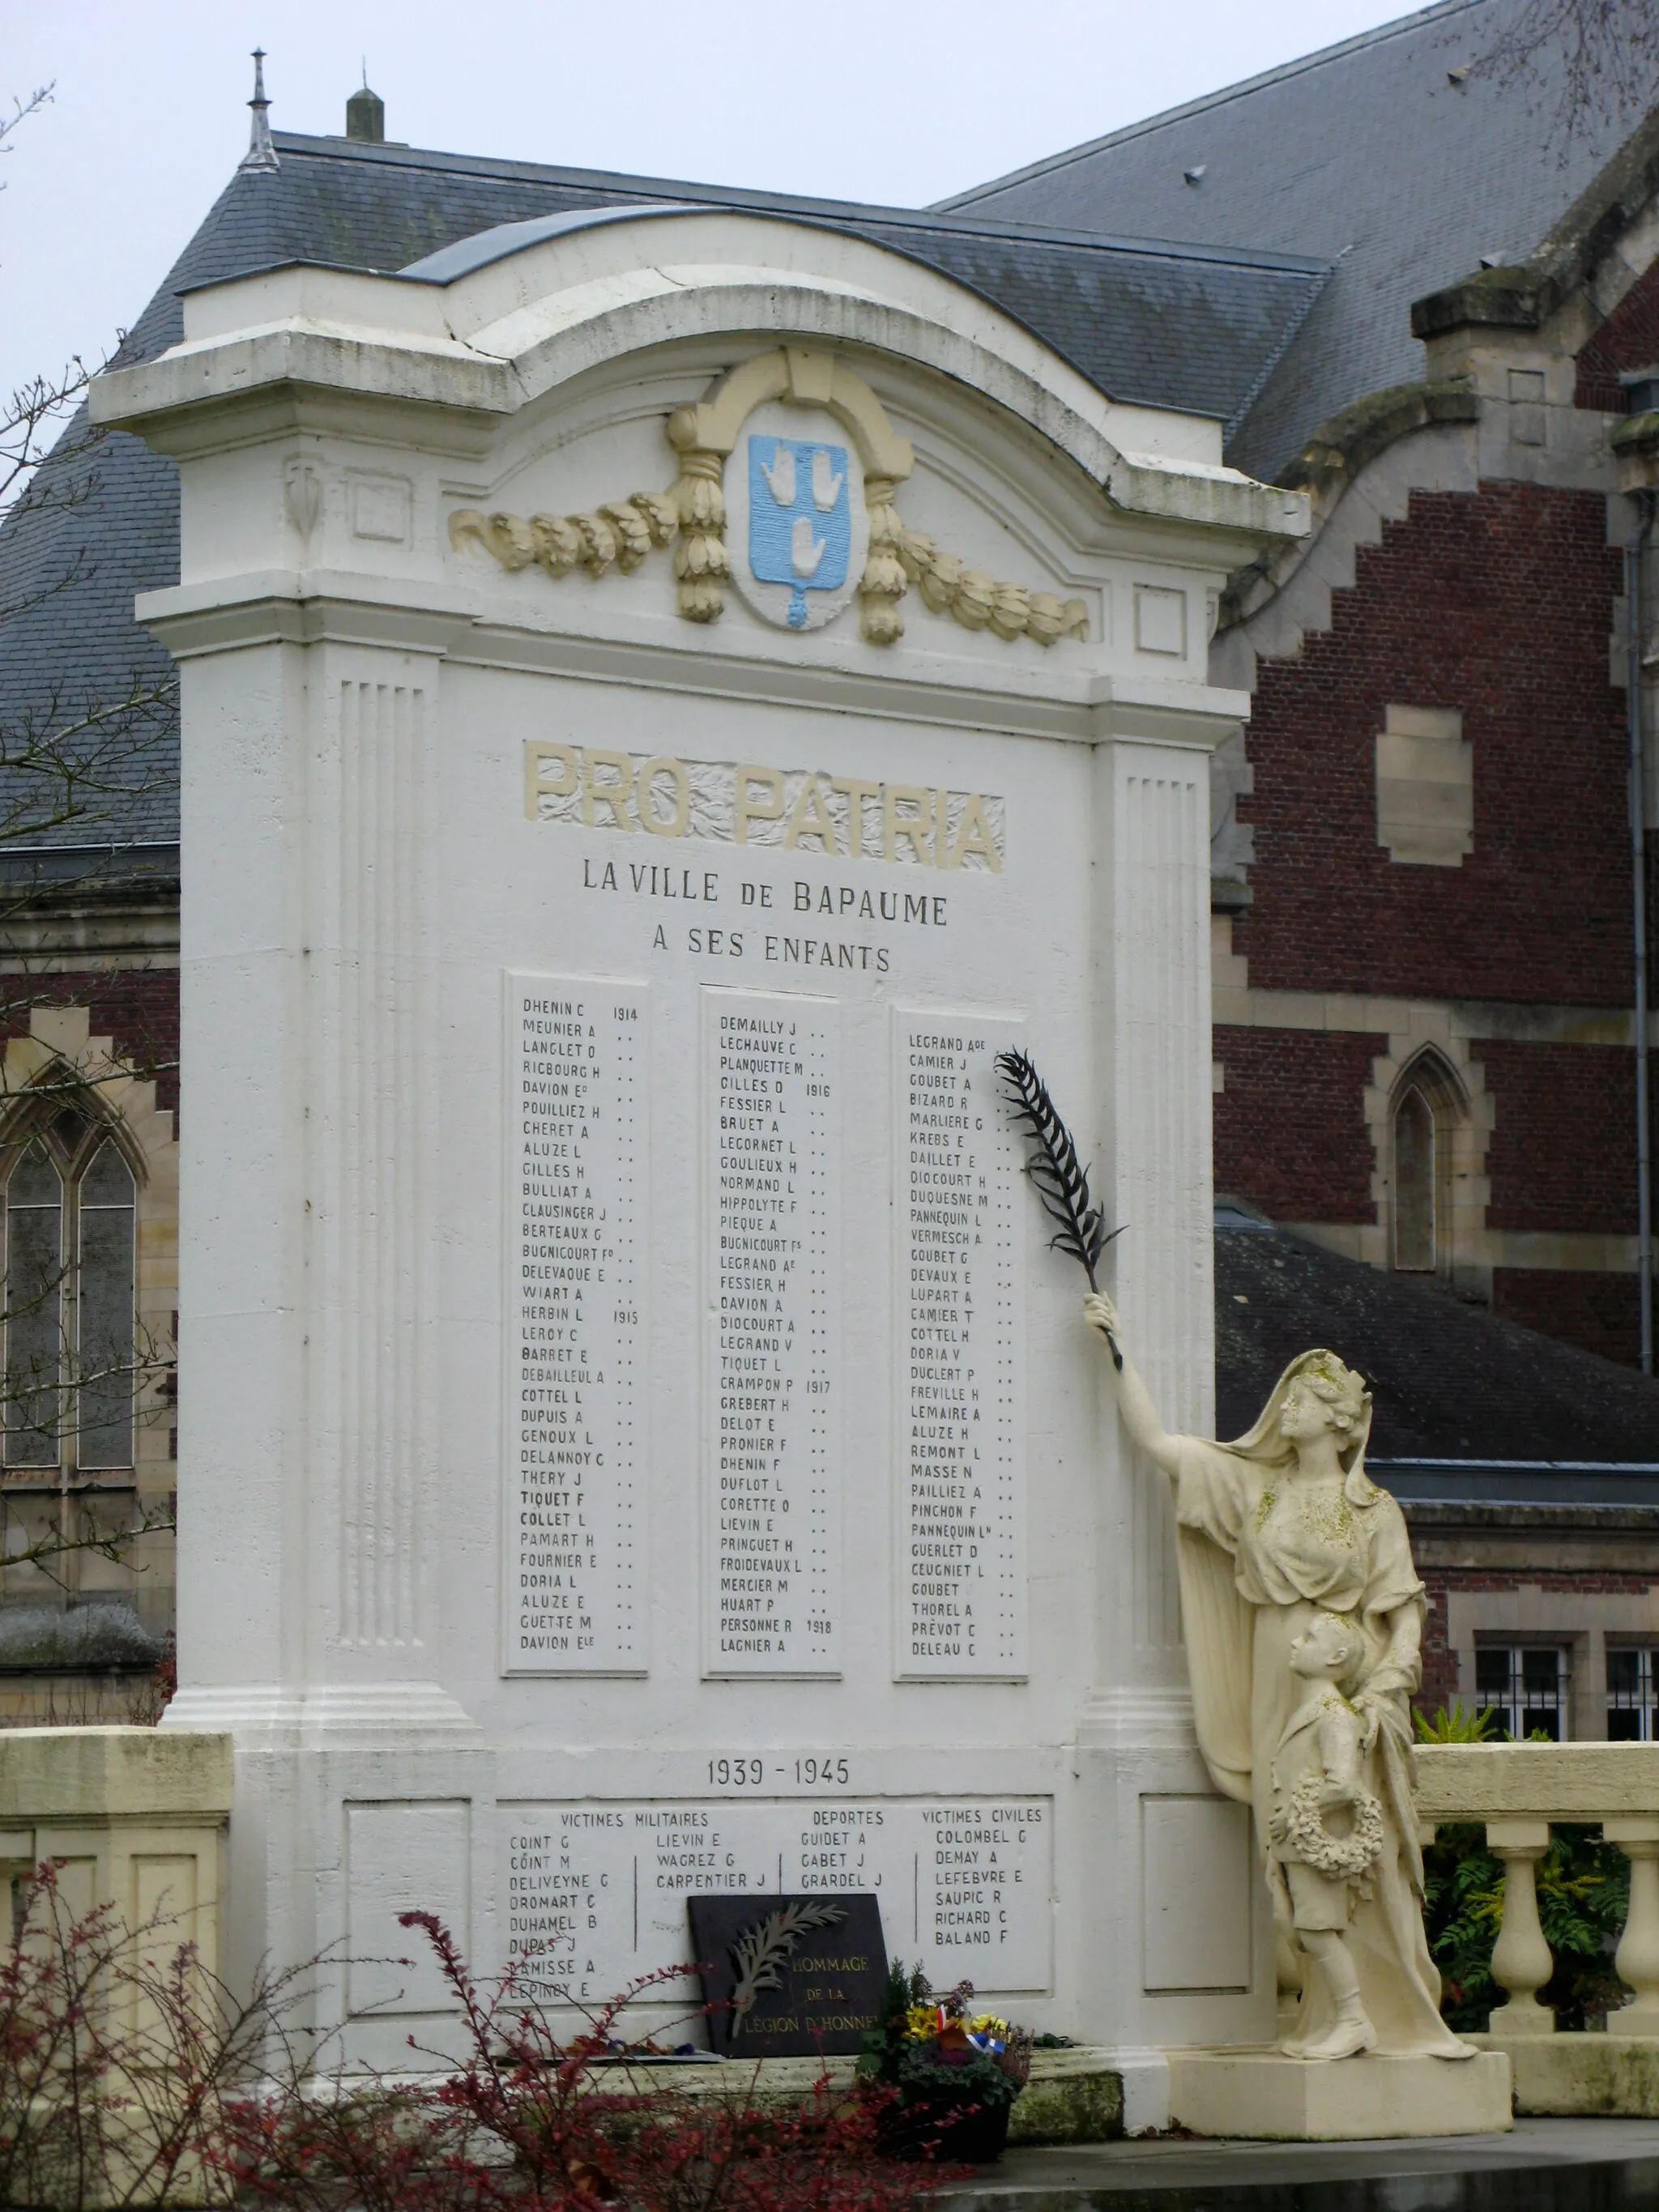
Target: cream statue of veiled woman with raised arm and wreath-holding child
1302	1609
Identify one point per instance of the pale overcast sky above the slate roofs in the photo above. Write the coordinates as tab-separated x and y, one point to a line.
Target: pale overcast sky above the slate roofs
890	101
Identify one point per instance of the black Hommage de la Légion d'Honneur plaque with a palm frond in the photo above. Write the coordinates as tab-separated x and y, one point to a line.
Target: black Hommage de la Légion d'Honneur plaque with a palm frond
789	1979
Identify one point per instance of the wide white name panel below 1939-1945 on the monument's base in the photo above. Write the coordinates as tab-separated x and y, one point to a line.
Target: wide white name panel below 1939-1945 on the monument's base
598	1890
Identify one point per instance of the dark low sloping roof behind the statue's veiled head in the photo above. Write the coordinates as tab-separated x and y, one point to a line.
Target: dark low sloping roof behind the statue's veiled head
1450	1381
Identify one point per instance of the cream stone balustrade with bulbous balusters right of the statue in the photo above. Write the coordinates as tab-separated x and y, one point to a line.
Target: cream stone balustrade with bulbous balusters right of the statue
1519	1793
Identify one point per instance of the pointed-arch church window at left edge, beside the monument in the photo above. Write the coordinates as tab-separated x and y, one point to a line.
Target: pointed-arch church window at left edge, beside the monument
70	1300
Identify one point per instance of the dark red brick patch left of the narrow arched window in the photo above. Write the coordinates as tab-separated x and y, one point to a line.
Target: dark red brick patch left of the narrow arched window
1291	1123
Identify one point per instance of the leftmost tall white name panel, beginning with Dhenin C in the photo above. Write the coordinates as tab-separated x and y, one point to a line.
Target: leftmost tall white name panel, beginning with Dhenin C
576	1147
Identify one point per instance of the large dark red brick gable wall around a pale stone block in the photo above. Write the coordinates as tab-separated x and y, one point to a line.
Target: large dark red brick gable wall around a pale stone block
1499	605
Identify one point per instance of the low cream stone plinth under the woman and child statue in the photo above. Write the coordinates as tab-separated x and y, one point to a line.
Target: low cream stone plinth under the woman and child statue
1269	2098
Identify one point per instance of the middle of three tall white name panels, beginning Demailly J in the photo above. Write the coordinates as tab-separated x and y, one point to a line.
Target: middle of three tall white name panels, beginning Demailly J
773	1288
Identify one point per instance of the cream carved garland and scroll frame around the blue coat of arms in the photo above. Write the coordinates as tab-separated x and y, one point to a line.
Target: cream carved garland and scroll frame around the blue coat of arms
691	517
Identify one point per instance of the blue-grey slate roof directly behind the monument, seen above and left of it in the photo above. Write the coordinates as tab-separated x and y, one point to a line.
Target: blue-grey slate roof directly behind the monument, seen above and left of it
1180	326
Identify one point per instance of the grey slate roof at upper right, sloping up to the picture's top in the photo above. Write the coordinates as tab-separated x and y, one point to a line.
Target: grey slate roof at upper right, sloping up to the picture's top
1364	156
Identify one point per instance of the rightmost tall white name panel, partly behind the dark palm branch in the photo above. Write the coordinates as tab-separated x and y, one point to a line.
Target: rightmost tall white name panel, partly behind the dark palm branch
959	1304
